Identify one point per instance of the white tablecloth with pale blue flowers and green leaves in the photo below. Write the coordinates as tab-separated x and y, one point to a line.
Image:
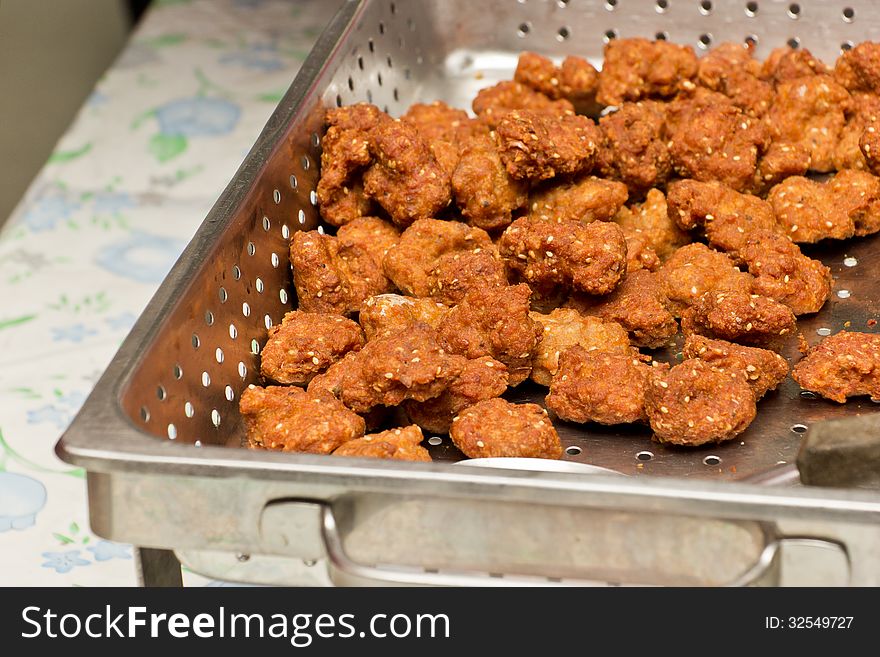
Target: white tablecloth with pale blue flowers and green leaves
126	187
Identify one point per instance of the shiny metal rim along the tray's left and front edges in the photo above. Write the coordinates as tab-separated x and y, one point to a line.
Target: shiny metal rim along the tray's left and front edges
103	439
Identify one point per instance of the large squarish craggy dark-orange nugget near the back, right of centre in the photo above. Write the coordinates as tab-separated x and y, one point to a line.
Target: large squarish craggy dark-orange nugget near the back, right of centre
717	142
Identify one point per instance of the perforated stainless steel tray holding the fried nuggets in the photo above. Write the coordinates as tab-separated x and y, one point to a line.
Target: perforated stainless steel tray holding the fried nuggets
157	435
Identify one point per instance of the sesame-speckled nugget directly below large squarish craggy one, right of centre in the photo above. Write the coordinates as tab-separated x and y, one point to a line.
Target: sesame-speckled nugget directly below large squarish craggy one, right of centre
727	215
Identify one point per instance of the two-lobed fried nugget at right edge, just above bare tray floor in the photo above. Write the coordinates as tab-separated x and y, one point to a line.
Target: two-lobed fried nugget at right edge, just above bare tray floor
847	204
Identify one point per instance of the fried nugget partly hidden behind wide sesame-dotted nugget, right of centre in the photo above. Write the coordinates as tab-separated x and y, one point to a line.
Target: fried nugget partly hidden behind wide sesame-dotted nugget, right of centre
696	269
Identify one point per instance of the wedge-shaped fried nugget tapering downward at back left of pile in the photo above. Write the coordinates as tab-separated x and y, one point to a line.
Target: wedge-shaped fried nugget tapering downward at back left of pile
443	128
